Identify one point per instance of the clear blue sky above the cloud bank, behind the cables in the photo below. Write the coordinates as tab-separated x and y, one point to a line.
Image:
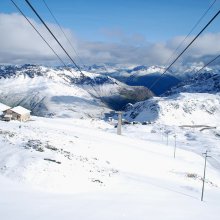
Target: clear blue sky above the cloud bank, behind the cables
156	20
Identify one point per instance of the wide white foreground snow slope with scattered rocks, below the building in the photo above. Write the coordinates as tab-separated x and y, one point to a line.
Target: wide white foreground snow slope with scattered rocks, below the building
80	169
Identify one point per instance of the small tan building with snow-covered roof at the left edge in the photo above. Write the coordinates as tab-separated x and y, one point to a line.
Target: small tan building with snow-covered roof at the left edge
17	113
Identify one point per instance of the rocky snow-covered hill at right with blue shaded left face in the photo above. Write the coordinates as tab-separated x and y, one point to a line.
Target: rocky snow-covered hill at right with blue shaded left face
179	109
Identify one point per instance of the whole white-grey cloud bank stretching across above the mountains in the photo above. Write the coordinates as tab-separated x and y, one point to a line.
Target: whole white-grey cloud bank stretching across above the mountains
20	44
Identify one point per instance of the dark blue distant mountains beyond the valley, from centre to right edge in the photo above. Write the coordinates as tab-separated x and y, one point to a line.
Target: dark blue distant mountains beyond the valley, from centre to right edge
173	79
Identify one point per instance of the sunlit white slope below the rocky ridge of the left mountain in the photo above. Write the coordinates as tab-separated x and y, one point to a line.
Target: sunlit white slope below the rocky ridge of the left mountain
47	98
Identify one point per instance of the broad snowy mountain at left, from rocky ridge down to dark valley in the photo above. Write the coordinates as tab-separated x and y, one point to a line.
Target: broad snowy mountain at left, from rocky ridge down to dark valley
56	91
